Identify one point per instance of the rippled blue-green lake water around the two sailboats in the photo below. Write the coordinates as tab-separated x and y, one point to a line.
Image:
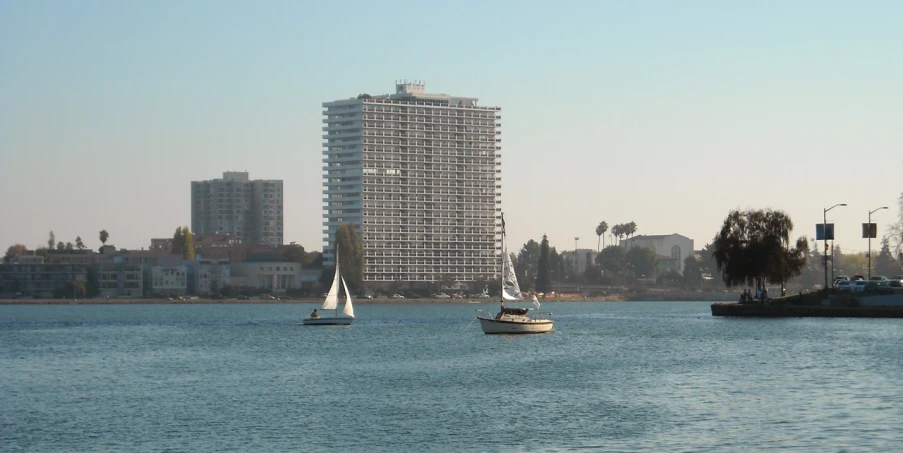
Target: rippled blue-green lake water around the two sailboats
619	377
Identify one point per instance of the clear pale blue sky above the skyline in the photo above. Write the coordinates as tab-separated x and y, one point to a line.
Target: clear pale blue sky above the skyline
667	114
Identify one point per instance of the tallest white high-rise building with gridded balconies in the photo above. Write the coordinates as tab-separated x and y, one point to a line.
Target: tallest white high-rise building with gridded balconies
418	175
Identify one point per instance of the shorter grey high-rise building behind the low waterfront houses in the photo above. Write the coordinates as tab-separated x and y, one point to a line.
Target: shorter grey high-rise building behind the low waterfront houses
251	210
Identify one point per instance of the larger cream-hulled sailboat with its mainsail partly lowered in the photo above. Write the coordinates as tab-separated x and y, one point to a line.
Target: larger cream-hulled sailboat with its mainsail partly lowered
513	320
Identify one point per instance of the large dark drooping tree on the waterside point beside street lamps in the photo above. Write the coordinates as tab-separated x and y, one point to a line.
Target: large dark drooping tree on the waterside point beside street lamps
753	248
